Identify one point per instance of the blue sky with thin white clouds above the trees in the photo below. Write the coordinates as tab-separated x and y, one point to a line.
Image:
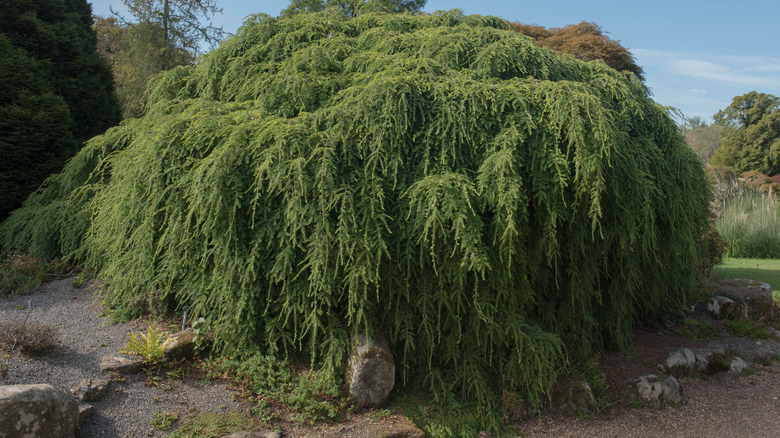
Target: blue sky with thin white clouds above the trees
697	55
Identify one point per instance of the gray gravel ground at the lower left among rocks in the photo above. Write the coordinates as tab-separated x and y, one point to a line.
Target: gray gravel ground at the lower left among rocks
83	338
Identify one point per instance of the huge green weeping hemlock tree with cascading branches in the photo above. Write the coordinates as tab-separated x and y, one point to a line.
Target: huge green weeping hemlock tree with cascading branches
492	207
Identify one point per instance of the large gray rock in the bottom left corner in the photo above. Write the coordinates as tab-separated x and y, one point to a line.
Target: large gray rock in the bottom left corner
32	411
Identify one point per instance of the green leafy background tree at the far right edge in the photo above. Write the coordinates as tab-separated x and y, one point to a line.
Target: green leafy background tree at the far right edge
751	134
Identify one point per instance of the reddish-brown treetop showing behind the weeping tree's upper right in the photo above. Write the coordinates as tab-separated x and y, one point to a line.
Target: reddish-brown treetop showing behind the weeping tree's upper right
585	41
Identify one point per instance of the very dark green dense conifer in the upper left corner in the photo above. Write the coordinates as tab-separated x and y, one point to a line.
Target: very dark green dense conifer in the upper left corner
56	91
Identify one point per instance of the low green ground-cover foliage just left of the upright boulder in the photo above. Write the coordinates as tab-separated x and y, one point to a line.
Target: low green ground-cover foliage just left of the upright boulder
312	395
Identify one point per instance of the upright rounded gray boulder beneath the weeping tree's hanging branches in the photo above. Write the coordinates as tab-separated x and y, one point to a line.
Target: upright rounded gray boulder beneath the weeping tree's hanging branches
371	372
